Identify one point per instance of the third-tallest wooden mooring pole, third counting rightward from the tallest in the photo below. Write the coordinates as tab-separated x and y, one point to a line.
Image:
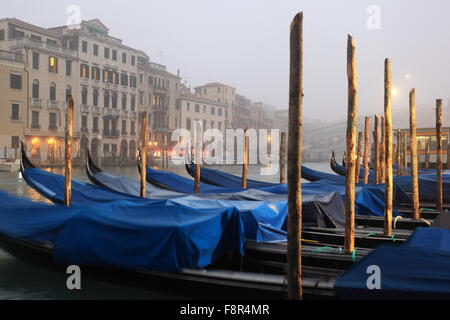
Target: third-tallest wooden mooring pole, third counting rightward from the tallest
389	181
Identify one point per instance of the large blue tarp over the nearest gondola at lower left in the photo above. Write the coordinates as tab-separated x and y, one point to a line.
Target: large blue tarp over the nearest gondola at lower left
125	233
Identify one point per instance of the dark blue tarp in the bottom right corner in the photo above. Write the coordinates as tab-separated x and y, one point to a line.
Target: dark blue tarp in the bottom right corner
419	269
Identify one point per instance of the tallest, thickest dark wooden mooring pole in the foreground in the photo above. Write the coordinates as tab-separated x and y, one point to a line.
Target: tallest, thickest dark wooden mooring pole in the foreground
294	252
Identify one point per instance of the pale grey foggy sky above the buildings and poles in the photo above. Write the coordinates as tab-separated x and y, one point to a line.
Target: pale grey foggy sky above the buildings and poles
246	44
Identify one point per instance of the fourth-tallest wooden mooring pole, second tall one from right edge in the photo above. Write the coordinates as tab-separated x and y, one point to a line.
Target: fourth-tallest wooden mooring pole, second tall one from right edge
414	164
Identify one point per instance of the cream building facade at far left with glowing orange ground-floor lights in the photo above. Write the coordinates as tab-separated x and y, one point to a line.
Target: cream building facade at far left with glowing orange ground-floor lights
49	68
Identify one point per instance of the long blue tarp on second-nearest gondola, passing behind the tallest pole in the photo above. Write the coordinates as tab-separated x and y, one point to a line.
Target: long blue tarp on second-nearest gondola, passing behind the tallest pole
320	209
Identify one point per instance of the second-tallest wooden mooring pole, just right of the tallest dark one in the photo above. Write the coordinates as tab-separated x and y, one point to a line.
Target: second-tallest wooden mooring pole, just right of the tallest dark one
351	147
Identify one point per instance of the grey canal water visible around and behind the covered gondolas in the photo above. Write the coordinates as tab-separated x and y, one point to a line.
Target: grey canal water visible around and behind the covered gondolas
20	280
